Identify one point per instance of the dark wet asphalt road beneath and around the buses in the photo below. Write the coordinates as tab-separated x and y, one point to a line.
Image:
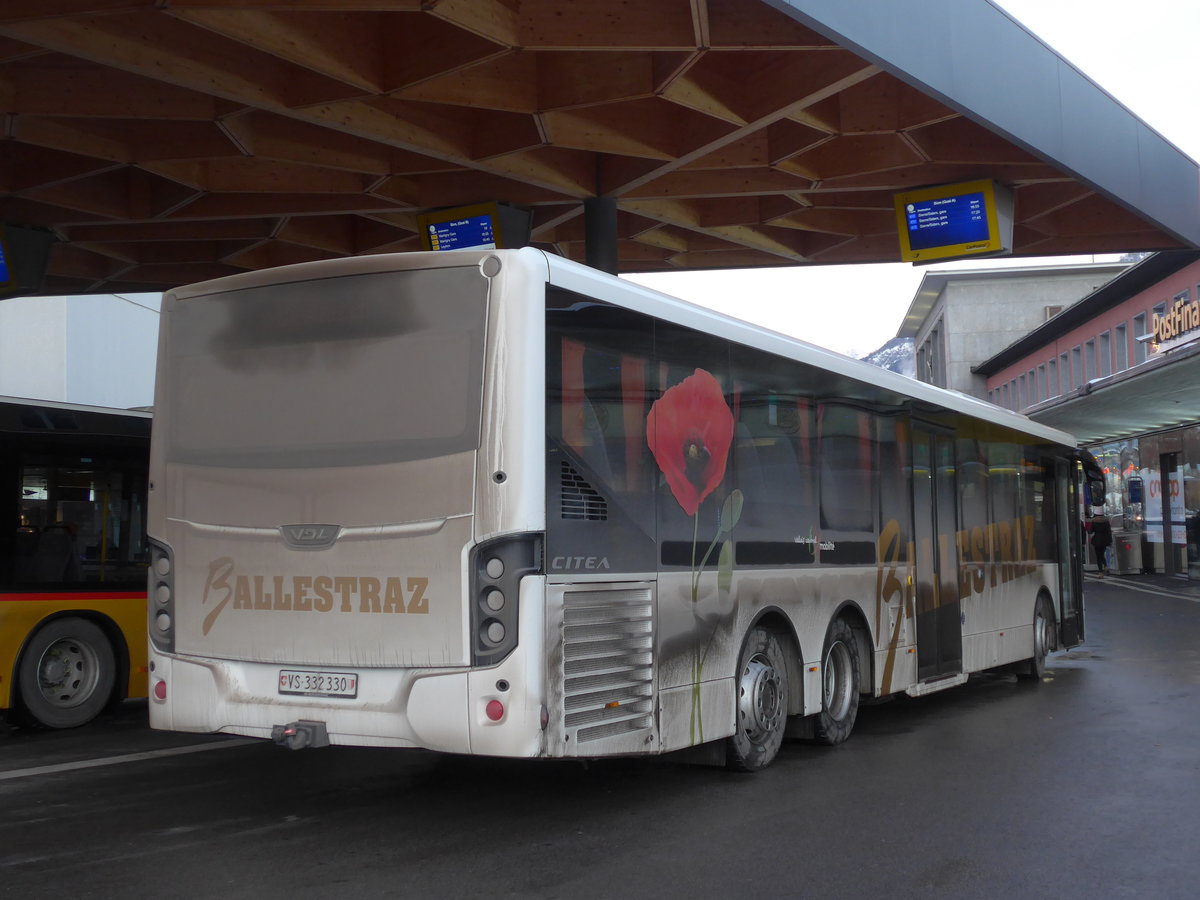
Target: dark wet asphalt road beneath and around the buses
1087	785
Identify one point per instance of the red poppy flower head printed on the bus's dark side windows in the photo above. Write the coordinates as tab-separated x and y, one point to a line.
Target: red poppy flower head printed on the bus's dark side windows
689	430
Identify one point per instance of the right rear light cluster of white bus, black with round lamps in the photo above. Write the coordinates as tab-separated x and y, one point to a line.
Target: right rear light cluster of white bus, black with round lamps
497	569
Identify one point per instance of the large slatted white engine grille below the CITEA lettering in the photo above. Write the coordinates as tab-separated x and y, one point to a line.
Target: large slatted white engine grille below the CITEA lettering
608	667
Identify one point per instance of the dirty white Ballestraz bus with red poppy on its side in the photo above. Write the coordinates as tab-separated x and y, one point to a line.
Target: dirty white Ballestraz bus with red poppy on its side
500	503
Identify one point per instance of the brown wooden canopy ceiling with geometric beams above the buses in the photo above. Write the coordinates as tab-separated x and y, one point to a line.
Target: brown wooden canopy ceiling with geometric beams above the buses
169	142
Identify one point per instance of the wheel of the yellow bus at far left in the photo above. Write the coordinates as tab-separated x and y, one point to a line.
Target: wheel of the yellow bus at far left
67	674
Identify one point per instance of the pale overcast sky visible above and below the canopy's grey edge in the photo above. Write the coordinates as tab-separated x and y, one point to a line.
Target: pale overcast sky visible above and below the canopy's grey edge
1145	53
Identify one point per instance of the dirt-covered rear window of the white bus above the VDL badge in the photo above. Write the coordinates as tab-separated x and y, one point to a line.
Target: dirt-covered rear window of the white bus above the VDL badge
352	371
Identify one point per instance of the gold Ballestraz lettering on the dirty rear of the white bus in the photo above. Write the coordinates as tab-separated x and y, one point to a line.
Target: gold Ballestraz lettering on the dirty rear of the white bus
311	593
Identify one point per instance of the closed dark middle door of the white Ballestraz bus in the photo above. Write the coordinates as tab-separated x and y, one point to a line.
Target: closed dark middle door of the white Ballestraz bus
935	503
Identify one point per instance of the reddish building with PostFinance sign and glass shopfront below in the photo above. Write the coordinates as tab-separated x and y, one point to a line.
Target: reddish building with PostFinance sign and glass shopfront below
1120	369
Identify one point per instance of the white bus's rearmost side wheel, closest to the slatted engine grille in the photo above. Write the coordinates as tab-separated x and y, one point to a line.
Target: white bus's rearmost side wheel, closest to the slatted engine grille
761	703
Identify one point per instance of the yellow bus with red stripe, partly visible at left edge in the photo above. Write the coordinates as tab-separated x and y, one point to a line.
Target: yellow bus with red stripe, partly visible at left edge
73	561
